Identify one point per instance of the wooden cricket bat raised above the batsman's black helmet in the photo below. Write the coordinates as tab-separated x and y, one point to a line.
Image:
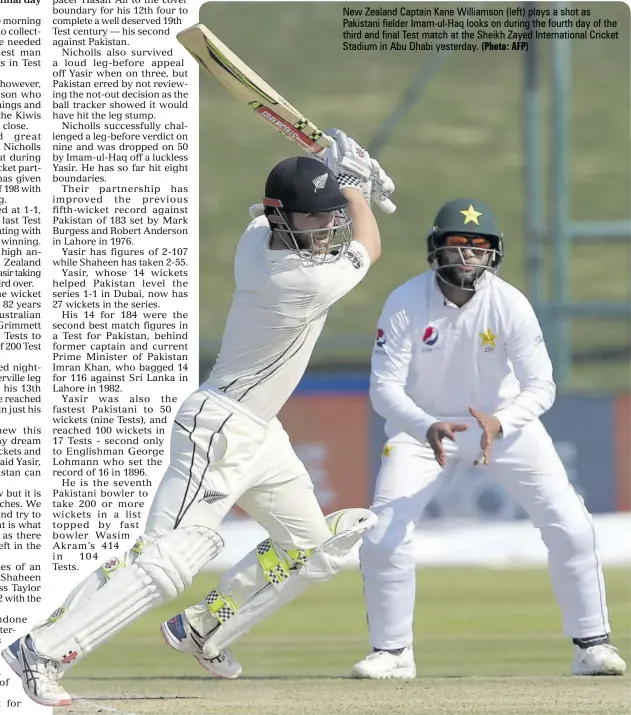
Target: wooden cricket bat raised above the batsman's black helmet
250	89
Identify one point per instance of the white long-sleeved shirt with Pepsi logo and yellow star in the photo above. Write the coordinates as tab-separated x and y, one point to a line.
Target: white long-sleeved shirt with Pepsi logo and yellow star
432	360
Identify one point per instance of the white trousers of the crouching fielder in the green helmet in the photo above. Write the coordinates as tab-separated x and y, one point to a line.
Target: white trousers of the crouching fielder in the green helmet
528	468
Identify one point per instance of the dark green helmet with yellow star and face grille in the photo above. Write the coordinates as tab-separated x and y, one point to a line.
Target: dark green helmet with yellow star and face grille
473	221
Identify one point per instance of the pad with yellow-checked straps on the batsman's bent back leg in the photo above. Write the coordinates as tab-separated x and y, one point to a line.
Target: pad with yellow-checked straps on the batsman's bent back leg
281	581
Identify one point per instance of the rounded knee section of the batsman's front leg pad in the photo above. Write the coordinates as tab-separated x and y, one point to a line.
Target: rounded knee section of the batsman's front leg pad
173	561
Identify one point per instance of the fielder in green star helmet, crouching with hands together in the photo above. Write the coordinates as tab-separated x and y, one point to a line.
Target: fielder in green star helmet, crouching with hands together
461	374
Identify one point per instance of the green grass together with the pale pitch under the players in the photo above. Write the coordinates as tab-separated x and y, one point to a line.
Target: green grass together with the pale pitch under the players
487	643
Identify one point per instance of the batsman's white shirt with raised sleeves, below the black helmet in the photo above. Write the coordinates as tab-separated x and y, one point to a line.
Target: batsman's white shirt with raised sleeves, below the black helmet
278	311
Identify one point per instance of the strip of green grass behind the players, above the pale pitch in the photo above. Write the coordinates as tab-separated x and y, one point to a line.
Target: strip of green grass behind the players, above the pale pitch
469	622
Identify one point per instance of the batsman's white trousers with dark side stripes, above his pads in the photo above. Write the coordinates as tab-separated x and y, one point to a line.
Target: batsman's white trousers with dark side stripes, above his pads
222	455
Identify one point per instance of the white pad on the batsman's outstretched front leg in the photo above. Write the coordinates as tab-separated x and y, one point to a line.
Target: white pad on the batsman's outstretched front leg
161	572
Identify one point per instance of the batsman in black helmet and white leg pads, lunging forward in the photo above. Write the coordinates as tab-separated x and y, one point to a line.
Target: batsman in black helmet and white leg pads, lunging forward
313	239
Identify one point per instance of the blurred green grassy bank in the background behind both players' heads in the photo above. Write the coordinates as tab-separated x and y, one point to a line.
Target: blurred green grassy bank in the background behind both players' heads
463	138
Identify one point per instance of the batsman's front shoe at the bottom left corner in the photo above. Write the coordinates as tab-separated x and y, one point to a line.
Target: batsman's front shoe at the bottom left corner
40	676
